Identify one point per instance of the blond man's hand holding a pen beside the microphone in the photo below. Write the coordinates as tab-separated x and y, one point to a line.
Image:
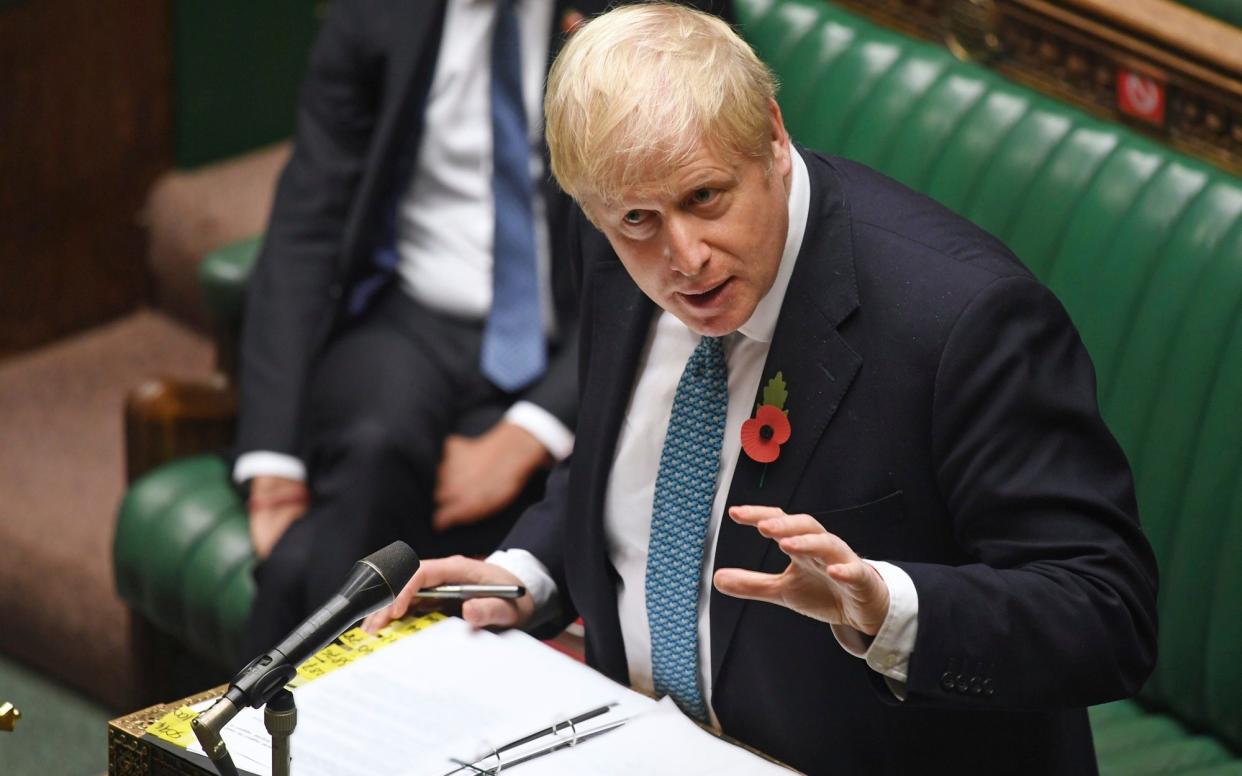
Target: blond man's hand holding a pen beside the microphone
458	571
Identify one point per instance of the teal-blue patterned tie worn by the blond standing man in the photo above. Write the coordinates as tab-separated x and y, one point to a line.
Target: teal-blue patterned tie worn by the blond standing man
685	491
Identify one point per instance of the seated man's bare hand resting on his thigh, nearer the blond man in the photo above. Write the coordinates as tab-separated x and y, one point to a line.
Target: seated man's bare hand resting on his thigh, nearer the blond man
480	476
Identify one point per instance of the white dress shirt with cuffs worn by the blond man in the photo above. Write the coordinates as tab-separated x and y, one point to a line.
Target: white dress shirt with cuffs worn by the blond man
633	481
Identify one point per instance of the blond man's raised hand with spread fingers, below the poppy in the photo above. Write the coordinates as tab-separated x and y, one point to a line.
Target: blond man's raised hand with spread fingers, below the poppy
825	579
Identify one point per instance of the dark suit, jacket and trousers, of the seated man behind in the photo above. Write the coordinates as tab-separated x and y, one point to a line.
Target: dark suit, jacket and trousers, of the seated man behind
358	138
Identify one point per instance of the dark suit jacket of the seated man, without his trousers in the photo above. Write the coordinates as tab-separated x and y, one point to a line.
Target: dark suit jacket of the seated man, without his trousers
353	153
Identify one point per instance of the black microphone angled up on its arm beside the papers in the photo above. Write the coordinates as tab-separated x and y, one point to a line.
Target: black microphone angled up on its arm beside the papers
373	583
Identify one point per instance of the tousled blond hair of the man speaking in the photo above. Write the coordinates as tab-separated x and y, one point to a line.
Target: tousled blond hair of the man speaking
638	92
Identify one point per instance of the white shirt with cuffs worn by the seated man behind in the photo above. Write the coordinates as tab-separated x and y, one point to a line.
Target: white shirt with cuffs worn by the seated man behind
445	250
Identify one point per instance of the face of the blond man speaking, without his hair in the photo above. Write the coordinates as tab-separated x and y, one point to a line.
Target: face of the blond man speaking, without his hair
710	251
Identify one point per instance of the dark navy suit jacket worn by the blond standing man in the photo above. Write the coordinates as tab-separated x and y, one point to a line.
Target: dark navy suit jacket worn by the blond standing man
945	419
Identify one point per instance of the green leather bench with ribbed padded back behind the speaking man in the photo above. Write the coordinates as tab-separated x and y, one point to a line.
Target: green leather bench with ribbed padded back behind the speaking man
1142	244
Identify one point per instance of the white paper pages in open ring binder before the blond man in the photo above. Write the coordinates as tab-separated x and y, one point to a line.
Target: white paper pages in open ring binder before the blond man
450	695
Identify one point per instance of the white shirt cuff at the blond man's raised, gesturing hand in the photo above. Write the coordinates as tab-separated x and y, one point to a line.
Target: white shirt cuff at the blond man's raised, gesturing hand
890	651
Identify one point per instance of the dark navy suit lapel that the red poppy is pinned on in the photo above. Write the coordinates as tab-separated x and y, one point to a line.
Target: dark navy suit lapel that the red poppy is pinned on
818	366
